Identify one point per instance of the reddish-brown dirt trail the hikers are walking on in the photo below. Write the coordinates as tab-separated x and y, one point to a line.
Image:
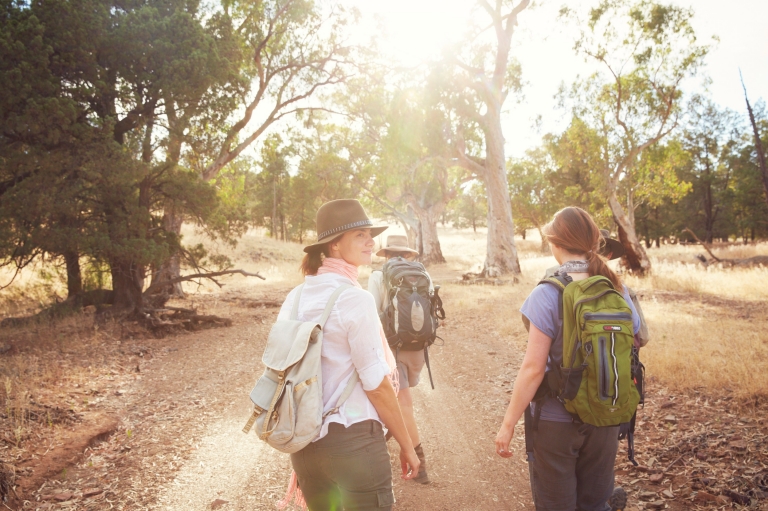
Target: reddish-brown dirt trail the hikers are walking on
180	444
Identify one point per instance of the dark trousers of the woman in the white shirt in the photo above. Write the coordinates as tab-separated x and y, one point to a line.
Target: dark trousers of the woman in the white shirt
346	469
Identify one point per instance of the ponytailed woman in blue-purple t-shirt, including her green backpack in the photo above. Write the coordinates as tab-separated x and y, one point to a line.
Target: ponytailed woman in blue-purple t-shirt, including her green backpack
571	461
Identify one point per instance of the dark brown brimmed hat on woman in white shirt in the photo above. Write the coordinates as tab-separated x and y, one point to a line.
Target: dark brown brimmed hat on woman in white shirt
336	217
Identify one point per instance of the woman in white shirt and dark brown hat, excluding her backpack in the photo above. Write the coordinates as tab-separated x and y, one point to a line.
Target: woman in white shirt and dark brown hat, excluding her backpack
347	466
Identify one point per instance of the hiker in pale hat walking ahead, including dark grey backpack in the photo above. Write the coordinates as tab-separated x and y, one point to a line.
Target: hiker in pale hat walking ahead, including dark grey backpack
410	362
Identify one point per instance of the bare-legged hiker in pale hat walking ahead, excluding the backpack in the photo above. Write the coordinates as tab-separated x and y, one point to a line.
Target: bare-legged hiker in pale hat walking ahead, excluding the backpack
409	363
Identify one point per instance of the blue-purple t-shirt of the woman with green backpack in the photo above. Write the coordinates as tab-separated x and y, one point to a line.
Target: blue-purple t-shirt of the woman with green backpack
541	309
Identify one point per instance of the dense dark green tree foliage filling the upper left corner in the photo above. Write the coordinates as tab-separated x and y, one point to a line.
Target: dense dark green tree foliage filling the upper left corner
78	177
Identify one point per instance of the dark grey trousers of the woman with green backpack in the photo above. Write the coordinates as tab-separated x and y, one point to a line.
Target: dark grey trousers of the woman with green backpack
573	466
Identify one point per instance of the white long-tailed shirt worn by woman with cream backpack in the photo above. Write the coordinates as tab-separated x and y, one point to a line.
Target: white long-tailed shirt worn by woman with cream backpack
351	340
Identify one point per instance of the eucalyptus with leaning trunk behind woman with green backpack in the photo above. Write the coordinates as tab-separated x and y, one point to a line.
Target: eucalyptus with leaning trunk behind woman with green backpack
643	51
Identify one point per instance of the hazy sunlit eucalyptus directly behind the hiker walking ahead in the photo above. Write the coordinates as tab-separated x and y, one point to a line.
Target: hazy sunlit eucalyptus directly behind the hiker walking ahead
401	156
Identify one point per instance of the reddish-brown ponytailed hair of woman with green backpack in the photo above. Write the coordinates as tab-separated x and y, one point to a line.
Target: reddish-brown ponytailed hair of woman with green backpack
574	230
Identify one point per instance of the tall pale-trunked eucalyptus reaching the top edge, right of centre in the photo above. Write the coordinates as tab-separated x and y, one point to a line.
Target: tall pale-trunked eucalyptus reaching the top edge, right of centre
480	79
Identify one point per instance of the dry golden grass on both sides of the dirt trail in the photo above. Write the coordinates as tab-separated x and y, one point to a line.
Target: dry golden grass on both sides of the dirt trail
709	326
